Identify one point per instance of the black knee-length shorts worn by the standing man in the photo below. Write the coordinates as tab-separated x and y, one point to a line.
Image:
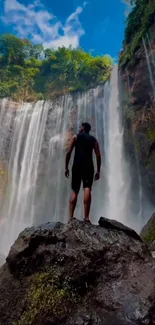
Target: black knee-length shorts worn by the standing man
79	175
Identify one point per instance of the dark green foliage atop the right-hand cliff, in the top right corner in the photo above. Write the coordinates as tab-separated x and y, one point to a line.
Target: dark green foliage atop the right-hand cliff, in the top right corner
138	22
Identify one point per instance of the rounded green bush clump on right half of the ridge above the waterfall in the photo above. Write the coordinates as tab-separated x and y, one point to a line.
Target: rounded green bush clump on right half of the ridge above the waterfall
70	70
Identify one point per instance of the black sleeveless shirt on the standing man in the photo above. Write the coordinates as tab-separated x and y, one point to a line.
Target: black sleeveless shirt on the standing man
84	145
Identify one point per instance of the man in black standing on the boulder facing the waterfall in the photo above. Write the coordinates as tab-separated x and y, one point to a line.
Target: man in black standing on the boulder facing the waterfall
83	168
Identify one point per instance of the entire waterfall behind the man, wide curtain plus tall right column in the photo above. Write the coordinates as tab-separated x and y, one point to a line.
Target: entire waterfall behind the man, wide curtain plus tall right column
36	190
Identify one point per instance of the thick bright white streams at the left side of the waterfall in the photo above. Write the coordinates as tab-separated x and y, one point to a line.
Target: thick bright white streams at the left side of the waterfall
18	210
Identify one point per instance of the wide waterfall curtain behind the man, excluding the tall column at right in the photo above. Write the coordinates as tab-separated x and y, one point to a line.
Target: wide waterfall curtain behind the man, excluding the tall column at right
33	143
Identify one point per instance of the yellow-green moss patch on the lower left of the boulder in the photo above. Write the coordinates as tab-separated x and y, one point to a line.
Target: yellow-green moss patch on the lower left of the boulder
48	300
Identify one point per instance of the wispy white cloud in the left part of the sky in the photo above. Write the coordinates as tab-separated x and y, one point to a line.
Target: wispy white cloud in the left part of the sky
36	23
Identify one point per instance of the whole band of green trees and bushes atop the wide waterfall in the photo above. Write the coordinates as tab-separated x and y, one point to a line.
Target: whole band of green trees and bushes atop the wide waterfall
29	71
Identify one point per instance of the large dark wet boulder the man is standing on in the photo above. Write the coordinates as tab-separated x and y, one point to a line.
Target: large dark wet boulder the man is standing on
78	274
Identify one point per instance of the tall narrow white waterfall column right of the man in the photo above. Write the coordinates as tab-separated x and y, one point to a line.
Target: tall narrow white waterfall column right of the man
118	177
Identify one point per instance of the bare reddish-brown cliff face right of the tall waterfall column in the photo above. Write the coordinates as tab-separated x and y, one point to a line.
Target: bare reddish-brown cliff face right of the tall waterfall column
137	94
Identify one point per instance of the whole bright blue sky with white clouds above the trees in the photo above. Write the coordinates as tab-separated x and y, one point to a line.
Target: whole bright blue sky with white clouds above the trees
95	25
